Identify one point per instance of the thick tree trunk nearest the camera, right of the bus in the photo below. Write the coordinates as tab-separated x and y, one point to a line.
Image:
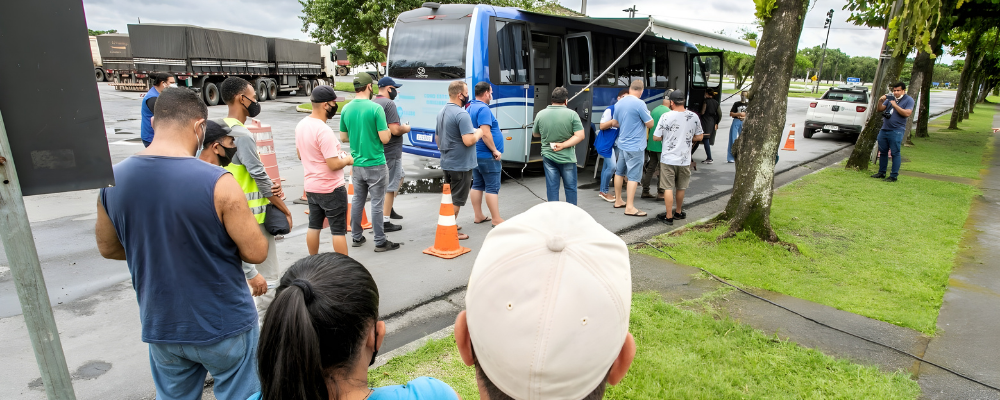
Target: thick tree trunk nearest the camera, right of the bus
749	207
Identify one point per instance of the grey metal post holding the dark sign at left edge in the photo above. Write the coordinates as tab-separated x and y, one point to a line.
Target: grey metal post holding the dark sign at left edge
19	245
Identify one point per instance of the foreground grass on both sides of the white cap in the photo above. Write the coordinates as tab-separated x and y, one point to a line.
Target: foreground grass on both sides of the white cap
684	354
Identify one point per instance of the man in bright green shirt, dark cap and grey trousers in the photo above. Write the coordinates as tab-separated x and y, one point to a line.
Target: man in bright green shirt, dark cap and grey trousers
364	122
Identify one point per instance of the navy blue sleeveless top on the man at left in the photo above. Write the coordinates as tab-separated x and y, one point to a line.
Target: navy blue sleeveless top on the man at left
186	270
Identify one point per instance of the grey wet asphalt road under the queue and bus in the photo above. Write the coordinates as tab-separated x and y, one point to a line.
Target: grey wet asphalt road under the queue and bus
95	305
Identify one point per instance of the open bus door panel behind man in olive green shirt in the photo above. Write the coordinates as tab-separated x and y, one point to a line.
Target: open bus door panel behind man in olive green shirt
579	65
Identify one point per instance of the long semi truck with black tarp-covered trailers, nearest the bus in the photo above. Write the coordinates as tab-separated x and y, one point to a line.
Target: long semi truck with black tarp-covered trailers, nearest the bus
201	58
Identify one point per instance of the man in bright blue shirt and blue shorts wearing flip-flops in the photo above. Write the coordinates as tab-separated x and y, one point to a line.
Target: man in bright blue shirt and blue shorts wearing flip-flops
486	176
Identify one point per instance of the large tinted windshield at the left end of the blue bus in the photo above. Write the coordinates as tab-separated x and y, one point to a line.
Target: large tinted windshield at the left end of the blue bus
432	49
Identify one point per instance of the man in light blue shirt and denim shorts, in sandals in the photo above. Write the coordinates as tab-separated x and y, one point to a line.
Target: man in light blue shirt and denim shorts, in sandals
633	120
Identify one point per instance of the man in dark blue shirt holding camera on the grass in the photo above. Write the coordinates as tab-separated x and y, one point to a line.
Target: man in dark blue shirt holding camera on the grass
897	110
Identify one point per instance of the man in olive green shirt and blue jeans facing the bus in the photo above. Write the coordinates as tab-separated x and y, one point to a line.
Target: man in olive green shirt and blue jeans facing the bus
560	129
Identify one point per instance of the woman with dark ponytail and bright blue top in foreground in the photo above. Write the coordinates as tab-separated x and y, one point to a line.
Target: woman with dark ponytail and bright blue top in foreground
322	332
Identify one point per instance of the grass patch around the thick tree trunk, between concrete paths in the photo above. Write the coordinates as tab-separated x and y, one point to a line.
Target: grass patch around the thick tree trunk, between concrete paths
875	249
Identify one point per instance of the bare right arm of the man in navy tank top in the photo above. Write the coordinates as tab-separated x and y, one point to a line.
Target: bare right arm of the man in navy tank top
231	206
